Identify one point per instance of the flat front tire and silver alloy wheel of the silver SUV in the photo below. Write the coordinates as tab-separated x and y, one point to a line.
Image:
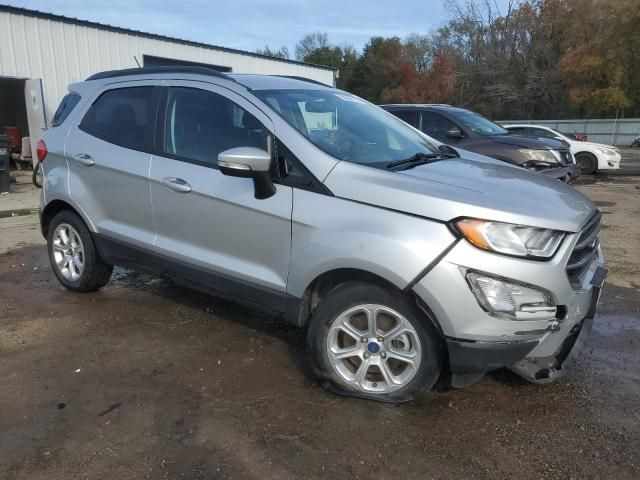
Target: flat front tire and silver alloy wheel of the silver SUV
370	342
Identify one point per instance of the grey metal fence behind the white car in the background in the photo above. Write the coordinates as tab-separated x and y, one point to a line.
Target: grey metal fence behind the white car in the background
619	132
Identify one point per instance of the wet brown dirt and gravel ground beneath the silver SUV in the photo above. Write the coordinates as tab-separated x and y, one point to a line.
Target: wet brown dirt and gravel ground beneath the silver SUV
147	380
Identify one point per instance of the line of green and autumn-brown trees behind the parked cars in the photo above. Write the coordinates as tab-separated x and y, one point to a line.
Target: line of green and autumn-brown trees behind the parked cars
534	59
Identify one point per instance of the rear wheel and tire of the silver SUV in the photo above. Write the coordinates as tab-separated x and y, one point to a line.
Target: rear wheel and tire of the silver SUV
73	254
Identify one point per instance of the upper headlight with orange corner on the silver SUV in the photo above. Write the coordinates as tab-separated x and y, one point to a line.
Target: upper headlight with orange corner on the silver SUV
510	239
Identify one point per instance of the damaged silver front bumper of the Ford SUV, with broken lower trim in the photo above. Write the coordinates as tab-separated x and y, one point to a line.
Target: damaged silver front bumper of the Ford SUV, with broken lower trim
541	343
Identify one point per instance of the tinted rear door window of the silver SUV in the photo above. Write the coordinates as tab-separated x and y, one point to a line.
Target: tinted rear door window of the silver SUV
124	116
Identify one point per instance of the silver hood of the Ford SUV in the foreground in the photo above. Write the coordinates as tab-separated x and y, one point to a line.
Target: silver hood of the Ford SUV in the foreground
465	187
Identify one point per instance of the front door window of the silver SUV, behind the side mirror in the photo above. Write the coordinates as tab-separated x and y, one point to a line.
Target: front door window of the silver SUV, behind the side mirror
201	124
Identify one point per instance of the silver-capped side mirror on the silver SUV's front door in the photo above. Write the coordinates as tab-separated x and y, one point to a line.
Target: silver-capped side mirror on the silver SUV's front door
249	162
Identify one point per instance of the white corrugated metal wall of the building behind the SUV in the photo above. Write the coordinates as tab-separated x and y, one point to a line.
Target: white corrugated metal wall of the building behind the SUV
61	53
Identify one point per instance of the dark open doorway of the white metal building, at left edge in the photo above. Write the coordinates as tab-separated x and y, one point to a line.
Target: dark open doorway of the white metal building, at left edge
22	117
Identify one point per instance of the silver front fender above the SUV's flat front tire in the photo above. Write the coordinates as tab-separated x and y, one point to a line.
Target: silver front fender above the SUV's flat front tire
330	233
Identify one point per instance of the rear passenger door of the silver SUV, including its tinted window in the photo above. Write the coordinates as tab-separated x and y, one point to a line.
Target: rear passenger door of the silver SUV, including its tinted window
109	160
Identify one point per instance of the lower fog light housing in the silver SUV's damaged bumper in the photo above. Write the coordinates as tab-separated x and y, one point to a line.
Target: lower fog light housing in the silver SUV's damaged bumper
501	296
